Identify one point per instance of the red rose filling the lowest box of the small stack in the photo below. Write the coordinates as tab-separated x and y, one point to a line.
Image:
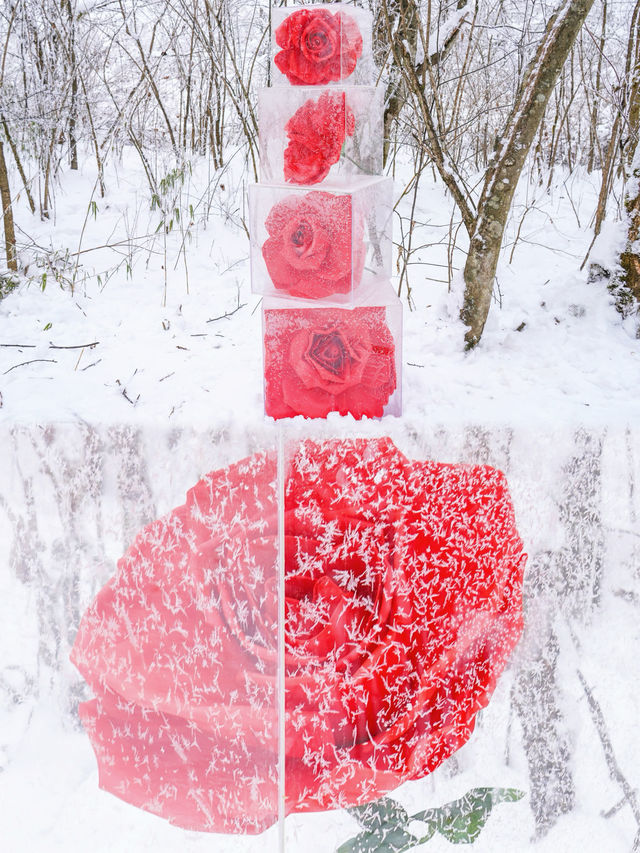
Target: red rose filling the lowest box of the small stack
328	360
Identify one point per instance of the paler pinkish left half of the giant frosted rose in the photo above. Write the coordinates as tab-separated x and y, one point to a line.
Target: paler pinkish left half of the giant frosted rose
176	650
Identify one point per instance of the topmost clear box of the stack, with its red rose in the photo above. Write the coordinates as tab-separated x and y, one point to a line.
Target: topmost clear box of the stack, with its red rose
321	45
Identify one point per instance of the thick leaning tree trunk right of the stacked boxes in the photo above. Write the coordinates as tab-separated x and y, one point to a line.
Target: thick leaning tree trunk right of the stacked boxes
510	151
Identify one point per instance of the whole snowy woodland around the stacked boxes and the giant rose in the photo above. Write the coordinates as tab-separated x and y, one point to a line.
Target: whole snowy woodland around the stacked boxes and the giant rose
130	361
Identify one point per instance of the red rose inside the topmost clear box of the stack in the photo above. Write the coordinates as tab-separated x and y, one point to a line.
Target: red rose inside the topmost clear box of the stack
318	47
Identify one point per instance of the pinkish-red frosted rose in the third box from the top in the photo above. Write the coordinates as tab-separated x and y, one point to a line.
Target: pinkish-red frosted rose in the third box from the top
312	250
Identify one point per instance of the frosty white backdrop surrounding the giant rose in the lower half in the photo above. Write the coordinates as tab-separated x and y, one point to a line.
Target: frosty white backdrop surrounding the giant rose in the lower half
76	496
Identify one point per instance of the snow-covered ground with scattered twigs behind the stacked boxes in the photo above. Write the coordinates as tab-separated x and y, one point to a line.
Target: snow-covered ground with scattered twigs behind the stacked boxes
146	344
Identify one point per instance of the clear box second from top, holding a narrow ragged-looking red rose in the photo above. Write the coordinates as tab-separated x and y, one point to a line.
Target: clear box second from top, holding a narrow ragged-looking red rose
310	136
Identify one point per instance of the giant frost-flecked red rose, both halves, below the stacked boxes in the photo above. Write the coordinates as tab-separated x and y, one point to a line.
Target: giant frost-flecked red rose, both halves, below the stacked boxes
403	588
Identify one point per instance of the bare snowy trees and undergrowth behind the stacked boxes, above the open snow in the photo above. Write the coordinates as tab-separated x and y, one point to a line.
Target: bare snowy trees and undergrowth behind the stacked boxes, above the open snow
175	82
